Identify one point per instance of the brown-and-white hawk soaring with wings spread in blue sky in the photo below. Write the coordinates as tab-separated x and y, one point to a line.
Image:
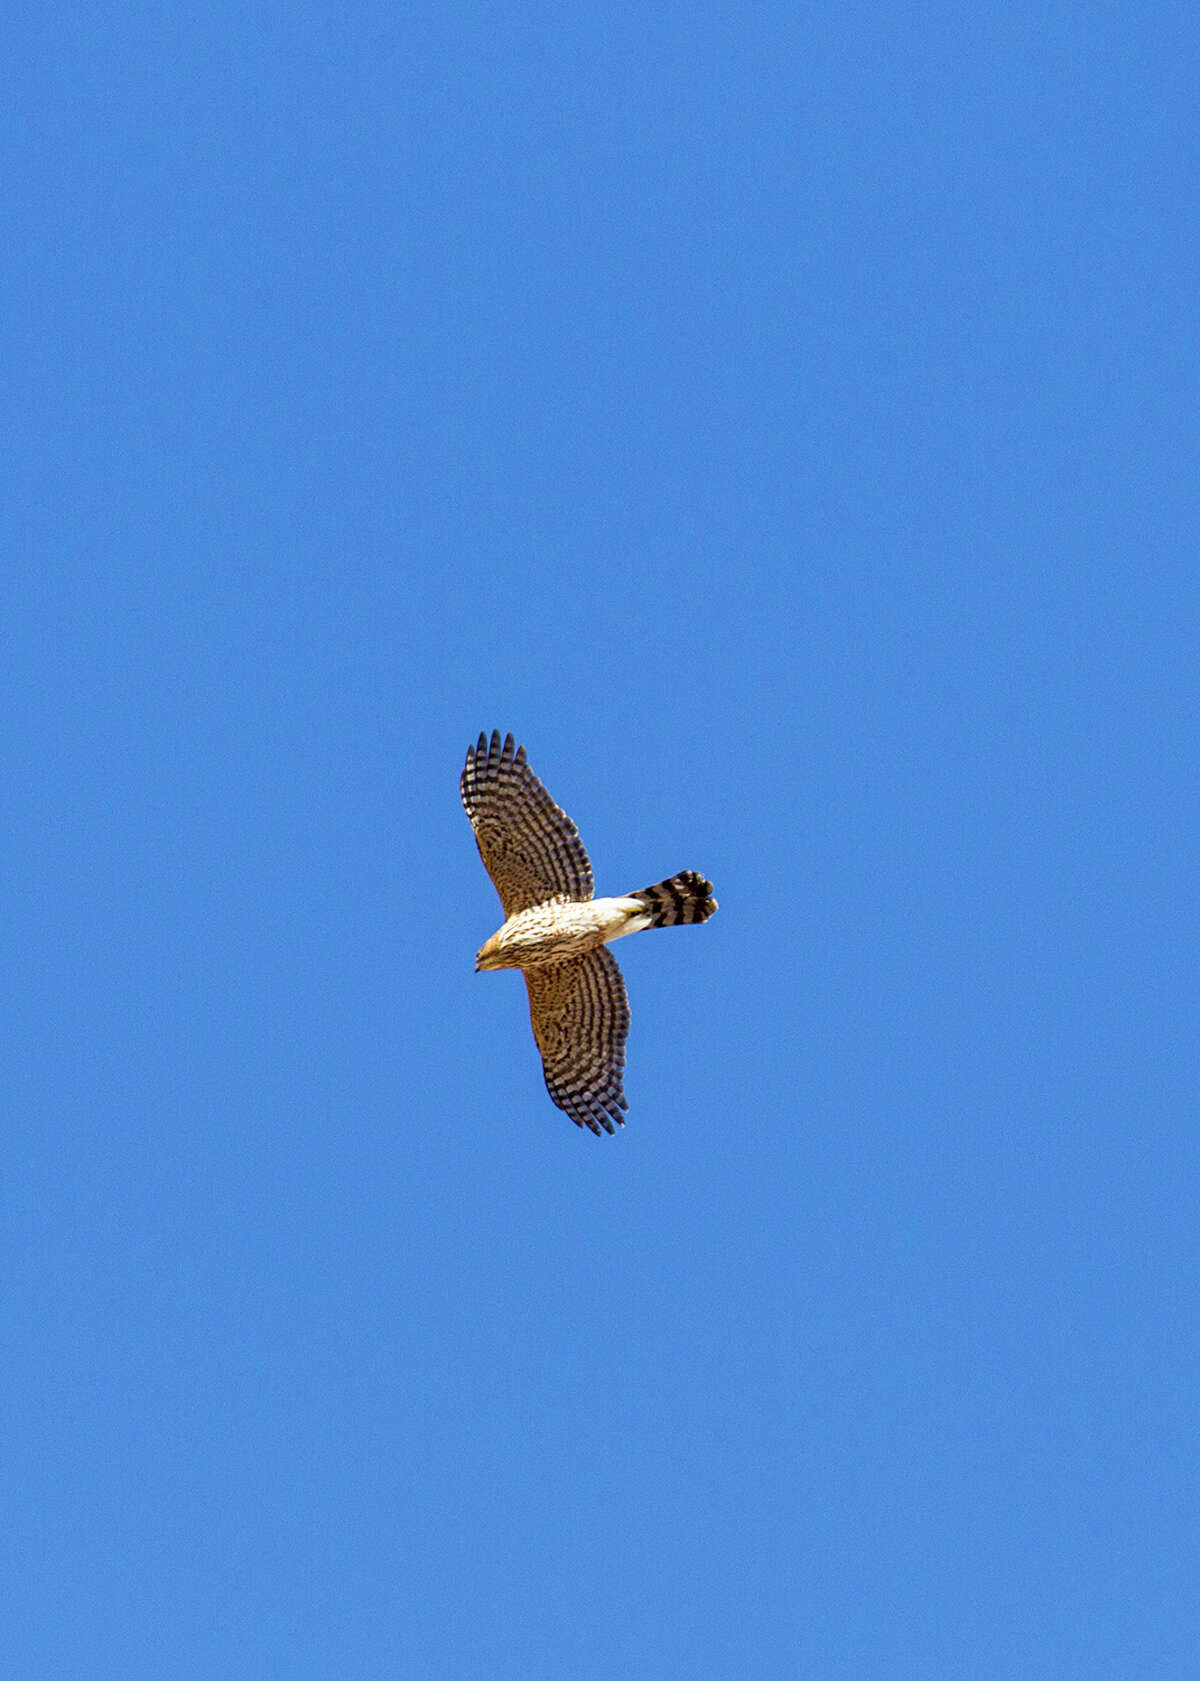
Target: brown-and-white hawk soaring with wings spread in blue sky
557	934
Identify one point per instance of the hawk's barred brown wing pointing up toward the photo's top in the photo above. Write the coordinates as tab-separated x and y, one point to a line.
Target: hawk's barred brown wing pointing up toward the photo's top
530	848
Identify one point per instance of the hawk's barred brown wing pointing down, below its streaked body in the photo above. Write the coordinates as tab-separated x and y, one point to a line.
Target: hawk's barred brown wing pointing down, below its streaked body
581	1021
